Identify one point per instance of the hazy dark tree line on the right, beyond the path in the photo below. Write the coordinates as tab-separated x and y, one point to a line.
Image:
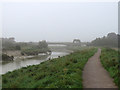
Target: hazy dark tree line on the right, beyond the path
111	40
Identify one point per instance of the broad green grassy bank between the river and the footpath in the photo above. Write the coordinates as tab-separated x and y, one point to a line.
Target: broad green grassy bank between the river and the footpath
63	72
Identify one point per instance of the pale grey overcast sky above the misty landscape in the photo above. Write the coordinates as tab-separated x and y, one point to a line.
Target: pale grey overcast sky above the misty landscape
59	21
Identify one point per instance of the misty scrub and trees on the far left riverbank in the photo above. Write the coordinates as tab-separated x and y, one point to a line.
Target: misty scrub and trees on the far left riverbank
29	48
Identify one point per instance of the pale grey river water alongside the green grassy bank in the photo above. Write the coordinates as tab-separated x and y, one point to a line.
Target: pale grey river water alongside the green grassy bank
16	64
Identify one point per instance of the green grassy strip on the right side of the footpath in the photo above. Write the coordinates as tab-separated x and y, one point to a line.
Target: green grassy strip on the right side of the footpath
110	60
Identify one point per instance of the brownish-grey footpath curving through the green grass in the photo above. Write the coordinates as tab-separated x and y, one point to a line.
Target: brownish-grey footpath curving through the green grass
94	75
